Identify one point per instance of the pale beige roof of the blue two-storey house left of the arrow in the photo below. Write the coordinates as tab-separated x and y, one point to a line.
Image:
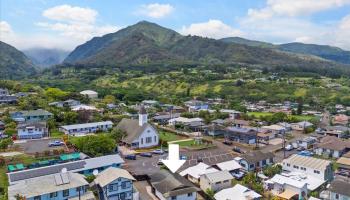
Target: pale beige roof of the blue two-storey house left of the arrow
111	174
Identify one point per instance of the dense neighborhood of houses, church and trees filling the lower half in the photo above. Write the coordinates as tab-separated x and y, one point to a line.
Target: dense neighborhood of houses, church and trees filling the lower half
90	147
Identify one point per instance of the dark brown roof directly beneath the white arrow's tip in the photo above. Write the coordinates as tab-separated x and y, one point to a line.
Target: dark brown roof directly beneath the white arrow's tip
169	184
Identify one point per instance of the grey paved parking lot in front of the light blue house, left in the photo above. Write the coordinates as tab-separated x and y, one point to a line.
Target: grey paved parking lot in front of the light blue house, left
33	146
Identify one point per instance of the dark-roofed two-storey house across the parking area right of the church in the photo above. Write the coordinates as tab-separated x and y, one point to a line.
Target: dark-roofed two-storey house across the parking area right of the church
243	135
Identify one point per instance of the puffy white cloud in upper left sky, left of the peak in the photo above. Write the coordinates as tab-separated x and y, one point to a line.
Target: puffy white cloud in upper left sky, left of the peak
67	13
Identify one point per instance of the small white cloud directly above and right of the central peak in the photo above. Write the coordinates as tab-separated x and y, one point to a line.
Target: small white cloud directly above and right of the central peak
156	10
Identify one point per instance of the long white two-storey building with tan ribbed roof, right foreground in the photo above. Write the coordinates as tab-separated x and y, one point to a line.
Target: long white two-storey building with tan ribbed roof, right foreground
319	168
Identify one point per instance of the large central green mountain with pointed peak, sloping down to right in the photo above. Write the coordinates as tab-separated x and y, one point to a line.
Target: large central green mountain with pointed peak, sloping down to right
146	43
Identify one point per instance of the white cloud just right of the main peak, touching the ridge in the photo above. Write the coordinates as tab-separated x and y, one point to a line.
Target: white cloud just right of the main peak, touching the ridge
212	29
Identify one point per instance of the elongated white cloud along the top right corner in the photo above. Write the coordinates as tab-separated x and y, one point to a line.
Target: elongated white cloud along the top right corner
294	8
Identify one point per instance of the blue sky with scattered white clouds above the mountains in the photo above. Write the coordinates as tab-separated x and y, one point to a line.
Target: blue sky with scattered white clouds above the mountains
68	23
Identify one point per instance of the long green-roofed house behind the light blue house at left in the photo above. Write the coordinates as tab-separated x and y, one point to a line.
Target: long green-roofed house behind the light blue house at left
31	115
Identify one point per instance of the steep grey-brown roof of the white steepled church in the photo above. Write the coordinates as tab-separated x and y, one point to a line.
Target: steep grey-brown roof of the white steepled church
132	129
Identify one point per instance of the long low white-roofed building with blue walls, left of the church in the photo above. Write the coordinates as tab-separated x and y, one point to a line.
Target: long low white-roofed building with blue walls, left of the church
83	129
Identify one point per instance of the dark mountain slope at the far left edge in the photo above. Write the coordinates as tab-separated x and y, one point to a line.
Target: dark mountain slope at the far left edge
13	63
